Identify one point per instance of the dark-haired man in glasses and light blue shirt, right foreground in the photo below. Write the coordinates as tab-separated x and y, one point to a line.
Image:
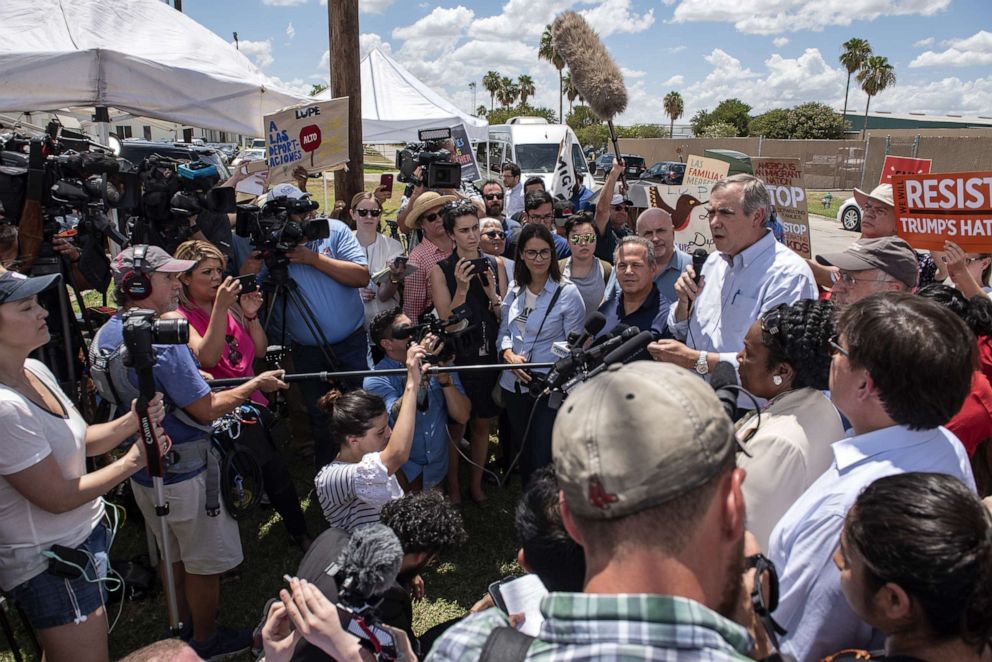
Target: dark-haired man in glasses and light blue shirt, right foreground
890	351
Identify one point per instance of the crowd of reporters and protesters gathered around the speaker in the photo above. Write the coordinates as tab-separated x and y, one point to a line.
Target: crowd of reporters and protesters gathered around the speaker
828	507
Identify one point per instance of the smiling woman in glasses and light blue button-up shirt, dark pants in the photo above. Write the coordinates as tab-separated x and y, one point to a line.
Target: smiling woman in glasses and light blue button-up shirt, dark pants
540	309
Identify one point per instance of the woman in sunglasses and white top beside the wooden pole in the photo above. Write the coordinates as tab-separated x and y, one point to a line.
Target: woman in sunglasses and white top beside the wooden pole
381	252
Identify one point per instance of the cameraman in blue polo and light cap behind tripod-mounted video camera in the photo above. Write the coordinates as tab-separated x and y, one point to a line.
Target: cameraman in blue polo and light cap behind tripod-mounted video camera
327	274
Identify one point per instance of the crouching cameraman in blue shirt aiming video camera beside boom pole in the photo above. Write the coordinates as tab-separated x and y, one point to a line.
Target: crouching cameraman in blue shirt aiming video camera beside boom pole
446	398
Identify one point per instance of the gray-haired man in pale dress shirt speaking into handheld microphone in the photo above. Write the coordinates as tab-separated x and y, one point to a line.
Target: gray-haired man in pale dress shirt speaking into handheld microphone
748	274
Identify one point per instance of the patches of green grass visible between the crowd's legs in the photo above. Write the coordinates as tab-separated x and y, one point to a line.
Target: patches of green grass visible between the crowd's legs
453	583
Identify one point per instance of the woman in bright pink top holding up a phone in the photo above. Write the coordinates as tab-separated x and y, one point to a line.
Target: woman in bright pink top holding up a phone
226	335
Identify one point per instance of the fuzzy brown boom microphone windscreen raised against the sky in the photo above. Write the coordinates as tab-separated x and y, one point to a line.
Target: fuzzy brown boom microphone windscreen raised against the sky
595	75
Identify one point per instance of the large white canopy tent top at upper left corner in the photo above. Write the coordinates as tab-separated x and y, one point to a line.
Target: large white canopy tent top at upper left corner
139	56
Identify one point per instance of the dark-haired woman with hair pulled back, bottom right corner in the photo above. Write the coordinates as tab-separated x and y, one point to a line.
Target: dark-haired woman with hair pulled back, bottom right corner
915	561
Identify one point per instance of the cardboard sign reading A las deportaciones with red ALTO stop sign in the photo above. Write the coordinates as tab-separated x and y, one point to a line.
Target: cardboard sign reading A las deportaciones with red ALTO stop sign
313	135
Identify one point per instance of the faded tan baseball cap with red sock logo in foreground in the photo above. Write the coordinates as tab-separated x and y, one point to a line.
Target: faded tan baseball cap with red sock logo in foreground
636	436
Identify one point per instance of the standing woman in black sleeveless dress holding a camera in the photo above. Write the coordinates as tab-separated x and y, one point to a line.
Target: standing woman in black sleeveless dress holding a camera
470	279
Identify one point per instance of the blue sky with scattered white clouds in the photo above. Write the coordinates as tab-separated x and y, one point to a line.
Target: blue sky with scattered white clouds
768	53
